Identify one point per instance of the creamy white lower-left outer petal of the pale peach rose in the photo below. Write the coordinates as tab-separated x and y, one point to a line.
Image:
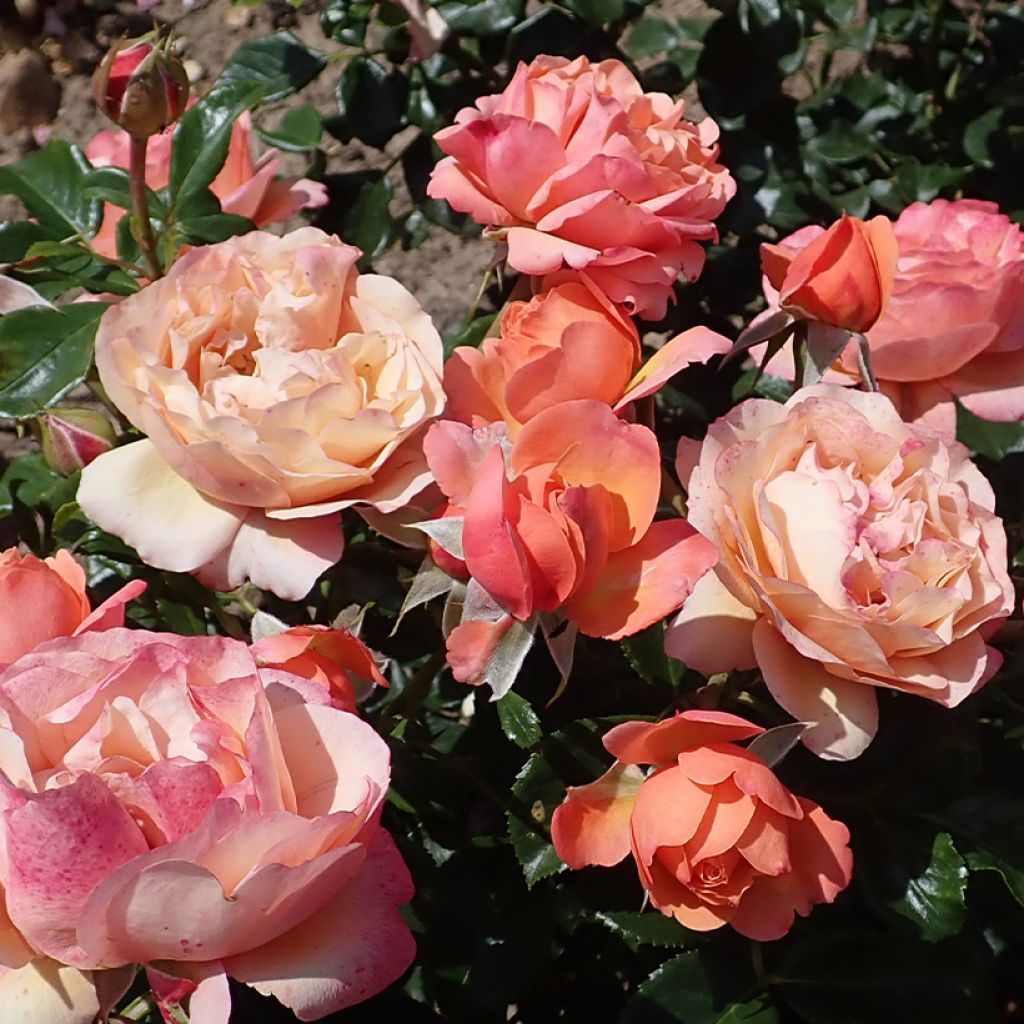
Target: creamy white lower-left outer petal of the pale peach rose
133	493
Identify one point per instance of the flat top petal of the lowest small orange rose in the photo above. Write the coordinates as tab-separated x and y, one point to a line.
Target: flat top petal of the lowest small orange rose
662	743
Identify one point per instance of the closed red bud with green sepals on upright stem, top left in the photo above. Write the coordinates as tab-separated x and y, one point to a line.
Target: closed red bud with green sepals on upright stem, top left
141	88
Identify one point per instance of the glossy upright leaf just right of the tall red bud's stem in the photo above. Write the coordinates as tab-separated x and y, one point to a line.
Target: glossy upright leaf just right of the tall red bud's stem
201	140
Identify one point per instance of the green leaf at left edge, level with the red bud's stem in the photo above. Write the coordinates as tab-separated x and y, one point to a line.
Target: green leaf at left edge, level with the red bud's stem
51	184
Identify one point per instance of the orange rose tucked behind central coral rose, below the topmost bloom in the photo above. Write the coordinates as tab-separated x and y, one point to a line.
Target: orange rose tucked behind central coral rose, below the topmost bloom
567	344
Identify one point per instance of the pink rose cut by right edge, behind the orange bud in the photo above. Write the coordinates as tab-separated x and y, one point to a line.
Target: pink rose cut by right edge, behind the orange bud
955	324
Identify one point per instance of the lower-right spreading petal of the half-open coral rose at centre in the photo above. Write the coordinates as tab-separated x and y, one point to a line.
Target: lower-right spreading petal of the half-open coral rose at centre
644	584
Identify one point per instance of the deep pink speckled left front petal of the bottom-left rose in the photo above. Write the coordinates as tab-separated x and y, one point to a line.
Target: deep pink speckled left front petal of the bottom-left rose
60	844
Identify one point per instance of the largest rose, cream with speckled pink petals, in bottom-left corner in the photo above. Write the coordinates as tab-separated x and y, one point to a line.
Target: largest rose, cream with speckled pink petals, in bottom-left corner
167	803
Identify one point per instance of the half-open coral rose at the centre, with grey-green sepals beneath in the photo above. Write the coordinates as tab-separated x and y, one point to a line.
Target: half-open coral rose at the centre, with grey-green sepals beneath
563	519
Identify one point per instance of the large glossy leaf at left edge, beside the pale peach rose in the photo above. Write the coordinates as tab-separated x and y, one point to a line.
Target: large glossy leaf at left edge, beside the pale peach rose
44	355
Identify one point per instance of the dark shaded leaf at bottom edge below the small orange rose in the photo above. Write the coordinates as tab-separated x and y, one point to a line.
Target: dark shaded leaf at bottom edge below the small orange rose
696	990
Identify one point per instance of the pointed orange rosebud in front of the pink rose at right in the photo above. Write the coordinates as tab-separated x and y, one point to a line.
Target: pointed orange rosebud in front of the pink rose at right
844	278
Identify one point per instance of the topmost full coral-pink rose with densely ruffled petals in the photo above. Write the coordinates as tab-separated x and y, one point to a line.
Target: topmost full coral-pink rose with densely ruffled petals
575	166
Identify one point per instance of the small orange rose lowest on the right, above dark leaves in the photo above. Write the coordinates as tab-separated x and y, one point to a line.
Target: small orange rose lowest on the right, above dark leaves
717	839
